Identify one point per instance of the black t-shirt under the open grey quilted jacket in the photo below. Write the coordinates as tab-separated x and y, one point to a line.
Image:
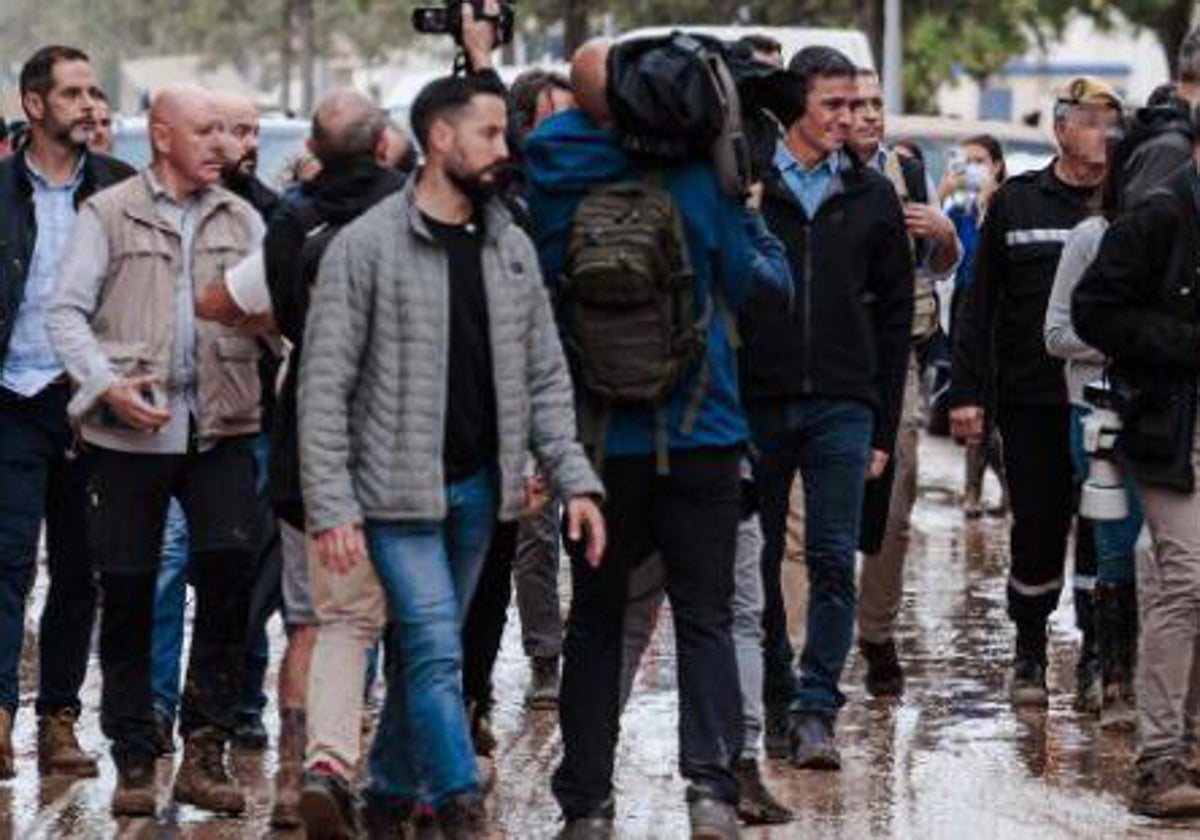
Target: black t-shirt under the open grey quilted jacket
471	395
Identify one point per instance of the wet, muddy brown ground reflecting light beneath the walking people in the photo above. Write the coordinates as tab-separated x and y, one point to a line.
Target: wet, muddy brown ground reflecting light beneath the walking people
952	760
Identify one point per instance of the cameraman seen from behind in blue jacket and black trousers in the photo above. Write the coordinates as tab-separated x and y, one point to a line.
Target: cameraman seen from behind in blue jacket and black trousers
688	513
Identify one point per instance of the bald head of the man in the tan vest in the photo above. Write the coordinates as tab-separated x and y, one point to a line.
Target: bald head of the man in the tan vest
188	139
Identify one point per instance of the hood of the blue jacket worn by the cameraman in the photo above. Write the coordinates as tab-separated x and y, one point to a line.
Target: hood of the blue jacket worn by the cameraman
569	153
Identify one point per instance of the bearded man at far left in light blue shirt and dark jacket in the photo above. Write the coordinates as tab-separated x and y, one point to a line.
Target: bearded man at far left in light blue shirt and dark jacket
41	473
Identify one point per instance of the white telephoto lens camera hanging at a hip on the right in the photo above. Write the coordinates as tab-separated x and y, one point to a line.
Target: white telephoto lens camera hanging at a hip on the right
1105	491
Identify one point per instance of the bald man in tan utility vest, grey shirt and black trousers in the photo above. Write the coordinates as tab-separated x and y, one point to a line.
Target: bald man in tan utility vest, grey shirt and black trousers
169	407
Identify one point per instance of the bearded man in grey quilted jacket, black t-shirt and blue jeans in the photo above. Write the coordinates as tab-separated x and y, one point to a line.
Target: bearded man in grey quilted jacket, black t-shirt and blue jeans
431	368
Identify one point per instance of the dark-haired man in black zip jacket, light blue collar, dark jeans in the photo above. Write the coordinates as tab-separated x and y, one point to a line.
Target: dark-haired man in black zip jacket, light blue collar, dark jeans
825	369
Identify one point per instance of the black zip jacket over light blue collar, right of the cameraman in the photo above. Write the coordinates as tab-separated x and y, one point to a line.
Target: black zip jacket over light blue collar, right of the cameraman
843	329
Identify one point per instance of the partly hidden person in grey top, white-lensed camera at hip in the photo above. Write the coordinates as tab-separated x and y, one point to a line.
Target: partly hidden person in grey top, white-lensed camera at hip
1113	508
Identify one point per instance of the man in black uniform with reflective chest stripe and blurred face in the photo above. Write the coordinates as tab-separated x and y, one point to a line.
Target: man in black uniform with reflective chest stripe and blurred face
999	352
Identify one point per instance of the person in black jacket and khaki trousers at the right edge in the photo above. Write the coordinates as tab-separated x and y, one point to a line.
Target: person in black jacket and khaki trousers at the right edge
1137	305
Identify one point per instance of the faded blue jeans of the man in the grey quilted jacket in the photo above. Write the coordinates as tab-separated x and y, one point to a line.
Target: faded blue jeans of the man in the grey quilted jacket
429	572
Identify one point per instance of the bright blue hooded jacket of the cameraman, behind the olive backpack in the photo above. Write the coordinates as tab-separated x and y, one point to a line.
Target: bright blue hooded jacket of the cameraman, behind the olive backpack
566	158
